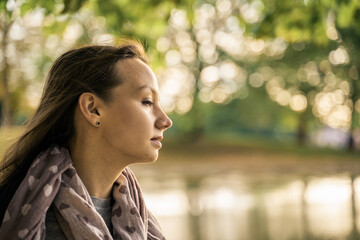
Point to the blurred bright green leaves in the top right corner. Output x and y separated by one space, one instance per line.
306 20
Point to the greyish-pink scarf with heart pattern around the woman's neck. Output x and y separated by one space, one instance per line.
52 180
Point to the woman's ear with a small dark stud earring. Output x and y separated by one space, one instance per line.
89 104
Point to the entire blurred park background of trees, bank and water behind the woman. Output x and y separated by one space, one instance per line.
264 96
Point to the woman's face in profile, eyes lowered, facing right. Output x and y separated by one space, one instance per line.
133 123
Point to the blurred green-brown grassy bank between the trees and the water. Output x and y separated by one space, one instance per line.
223 154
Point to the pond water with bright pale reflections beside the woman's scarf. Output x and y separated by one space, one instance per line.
235 206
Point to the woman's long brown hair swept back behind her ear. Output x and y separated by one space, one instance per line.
86 69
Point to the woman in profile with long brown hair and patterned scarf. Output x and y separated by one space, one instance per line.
67 176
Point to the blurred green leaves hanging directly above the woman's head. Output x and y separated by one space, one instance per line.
145 20
